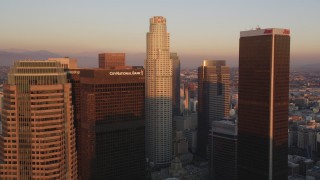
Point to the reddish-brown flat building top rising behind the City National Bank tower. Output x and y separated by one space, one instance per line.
107 60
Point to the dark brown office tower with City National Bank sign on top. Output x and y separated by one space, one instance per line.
112 132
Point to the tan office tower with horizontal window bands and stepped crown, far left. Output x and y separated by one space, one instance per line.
38 140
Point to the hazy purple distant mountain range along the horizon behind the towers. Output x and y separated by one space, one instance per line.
90 59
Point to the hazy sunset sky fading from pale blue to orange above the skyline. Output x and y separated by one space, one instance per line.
198 28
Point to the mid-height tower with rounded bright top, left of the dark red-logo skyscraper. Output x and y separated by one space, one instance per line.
213 98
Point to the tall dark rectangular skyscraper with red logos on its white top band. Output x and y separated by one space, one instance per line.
264 57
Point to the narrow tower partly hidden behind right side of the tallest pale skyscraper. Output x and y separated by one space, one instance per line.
175 83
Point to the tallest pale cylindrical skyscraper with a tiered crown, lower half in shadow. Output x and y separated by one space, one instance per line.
158 94
